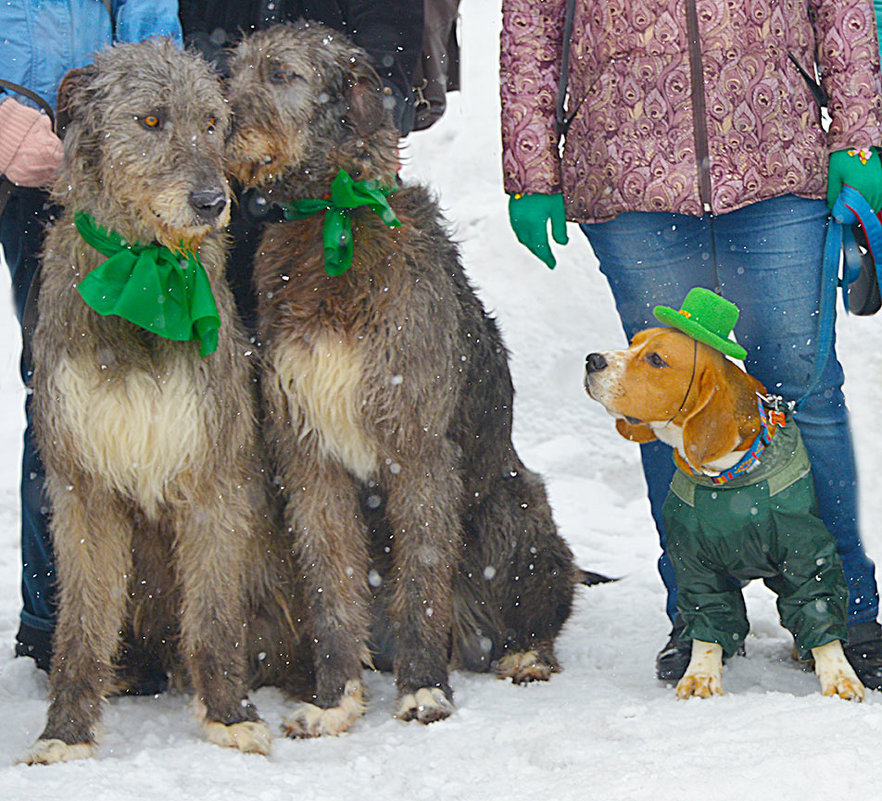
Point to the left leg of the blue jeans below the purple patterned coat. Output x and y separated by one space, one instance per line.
653 259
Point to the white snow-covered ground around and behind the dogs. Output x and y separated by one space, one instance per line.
603 728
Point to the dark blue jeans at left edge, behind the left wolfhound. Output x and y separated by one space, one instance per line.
21 235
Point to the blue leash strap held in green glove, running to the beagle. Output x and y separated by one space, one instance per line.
849 208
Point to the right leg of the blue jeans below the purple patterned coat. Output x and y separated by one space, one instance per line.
770 262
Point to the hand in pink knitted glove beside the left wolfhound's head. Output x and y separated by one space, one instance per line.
30 152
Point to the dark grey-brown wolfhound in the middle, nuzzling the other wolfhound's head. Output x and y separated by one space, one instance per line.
422 539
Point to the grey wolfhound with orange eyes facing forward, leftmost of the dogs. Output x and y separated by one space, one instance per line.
164 547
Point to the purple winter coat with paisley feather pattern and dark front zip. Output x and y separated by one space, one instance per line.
644 126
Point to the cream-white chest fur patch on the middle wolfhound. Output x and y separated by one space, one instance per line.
323 385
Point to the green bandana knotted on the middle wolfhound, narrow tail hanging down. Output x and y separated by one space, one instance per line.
346 195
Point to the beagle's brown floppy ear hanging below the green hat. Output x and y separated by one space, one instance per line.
710 430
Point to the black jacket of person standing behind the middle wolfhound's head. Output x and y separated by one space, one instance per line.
391 31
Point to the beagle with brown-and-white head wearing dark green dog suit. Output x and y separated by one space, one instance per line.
670 387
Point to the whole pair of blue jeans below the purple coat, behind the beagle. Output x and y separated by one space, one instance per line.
767 259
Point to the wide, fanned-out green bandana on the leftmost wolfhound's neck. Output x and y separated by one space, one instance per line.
166 293
